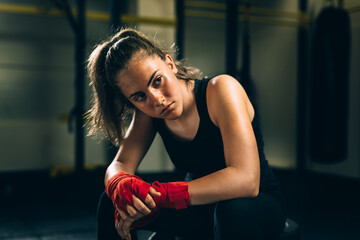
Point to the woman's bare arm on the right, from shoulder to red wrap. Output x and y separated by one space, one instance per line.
230 110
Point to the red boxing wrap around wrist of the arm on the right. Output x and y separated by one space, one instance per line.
173 195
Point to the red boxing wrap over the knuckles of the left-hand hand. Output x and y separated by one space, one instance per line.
122 186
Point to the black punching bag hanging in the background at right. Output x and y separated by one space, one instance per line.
329 86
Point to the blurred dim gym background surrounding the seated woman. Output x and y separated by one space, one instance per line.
298 60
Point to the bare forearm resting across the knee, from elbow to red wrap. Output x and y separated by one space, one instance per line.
225 184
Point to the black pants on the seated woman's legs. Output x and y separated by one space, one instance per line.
262 217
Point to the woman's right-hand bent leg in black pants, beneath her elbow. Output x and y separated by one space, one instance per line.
249 218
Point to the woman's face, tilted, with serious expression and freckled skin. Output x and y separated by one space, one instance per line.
151 85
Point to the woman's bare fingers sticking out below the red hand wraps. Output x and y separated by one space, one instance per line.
134 213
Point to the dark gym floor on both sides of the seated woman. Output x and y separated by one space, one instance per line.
35 206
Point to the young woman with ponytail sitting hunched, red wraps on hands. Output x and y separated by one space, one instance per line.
209 129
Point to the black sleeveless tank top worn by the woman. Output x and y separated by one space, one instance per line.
205 154
